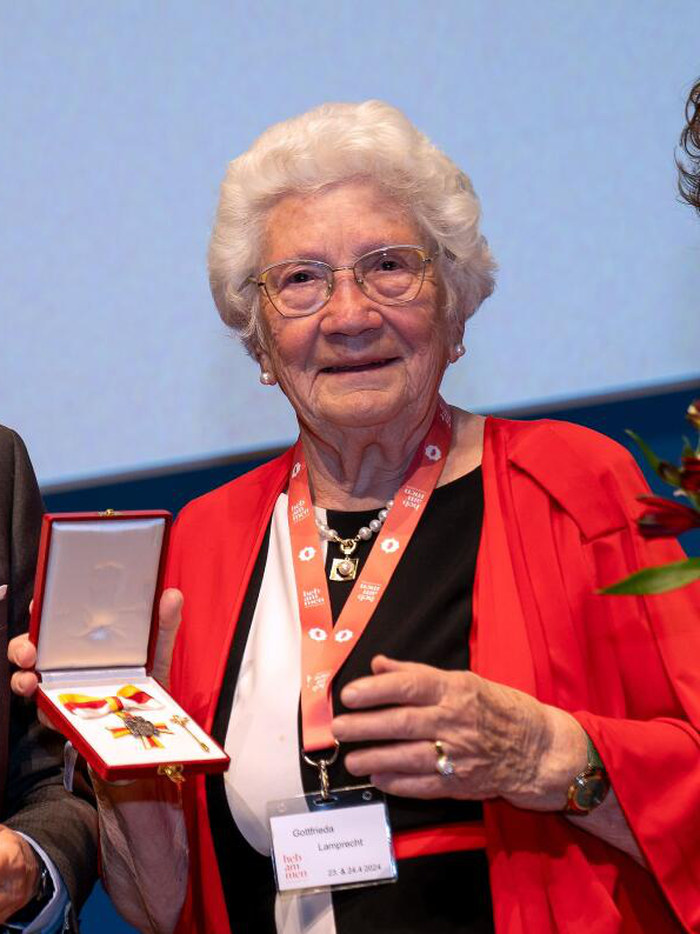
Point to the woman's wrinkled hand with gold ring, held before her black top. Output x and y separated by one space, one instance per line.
503 743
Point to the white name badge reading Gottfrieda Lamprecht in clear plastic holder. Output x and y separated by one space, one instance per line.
336 843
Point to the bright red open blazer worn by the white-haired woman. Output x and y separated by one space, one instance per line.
558 524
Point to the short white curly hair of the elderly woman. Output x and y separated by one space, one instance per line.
328 145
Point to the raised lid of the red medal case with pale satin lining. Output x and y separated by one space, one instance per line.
98 581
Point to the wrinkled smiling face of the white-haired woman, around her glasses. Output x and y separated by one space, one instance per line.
354 363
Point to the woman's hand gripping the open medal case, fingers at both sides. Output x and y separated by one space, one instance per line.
22 653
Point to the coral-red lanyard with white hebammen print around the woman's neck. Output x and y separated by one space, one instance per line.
325 647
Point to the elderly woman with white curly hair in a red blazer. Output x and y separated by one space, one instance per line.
425 580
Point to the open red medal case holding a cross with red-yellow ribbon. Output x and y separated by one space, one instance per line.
94 622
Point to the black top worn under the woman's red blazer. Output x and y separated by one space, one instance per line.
425 615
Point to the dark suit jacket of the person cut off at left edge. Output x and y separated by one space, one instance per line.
62 824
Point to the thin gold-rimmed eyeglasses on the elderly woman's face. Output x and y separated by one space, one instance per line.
392 275
